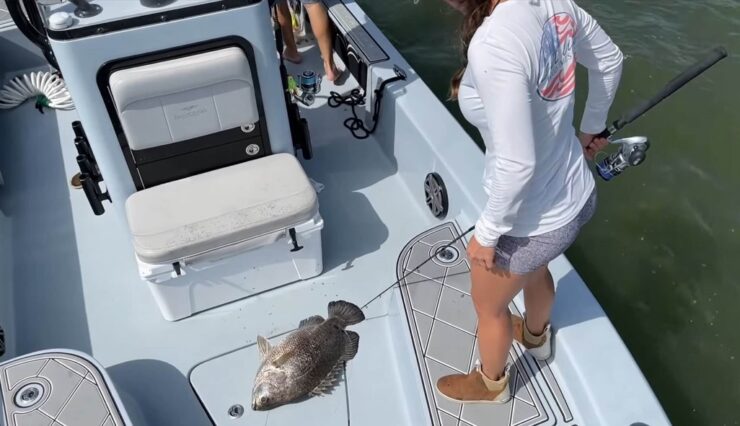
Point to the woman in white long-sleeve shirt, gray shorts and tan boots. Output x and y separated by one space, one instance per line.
518 88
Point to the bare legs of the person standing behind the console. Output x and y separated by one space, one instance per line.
321 28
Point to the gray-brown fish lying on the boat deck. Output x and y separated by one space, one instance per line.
309 361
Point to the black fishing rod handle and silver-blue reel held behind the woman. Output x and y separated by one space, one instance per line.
633 150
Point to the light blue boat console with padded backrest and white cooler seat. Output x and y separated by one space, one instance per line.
190 138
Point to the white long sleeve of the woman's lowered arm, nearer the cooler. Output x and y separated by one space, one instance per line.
504 87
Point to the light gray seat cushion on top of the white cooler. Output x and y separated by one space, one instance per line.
192 216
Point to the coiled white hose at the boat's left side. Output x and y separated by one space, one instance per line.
49 90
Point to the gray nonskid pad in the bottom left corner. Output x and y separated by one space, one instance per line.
56 389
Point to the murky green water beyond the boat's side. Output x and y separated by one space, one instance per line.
663 252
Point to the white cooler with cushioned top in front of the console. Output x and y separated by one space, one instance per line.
224 235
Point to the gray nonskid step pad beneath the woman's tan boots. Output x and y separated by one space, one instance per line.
443 323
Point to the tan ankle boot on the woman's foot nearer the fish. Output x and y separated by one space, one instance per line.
475 387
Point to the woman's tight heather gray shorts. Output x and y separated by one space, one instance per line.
522 255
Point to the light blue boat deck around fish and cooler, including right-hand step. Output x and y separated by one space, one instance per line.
76 285
